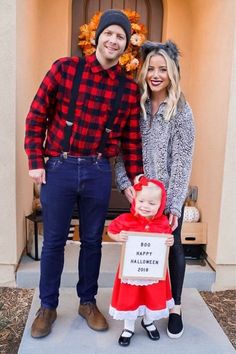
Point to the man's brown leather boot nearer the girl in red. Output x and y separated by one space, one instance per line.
93 316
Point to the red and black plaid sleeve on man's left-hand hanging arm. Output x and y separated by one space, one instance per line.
36 120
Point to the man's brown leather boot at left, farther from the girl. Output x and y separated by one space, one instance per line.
42 324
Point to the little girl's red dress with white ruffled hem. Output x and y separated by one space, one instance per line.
131 301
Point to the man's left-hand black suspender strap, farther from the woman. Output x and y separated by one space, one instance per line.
71 110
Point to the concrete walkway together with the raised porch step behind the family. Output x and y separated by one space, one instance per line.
71 335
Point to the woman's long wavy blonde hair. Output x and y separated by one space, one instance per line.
173 91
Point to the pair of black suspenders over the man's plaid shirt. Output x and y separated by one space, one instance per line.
71 111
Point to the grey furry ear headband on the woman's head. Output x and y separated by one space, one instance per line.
169 47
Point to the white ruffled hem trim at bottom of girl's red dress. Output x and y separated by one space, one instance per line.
141 311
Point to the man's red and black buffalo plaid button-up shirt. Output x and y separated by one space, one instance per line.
46 119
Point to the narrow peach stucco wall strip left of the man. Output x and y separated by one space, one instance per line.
27 68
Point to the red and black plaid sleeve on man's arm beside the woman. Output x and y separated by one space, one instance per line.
131 145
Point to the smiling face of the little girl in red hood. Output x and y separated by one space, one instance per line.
147 202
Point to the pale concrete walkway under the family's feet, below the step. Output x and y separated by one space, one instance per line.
70 334
